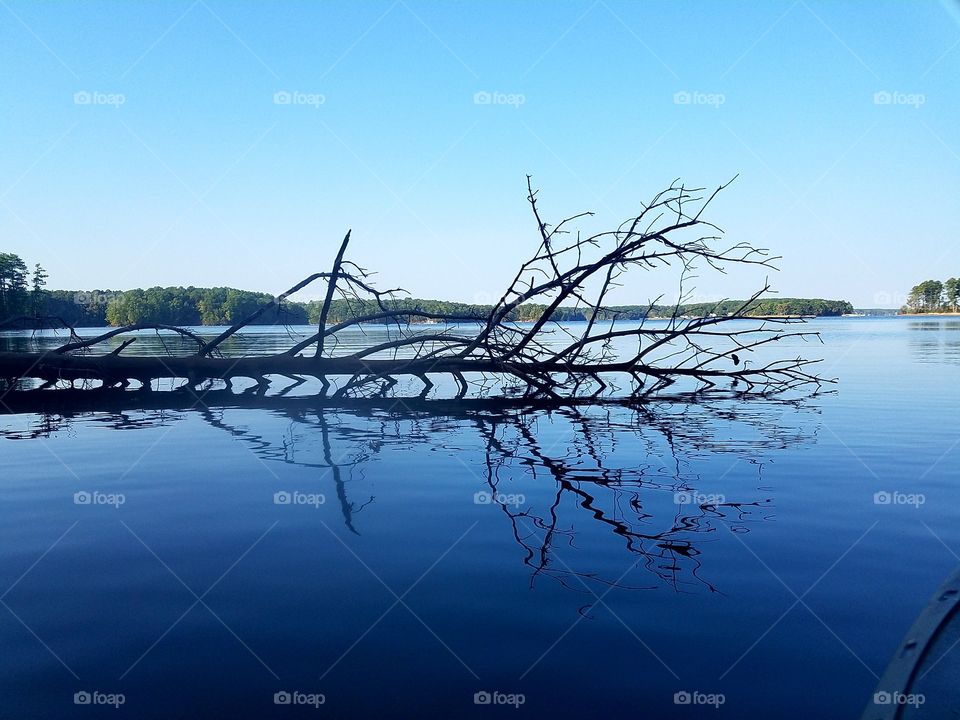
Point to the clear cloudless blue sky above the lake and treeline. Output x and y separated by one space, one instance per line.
200 177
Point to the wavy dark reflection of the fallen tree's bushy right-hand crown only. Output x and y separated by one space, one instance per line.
619 497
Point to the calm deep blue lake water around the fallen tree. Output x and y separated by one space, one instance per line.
767 555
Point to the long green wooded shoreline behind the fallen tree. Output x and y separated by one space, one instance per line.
23 296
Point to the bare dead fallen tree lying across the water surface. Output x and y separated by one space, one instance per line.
545 361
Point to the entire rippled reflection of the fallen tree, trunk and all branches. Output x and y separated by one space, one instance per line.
639 477
